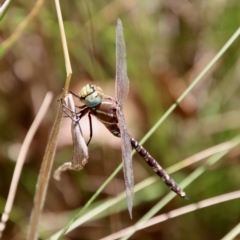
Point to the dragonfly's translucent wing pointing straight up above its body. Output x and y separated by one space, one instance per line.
122 82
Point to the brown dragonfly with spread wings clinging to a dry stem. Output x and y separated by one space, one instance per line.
109 111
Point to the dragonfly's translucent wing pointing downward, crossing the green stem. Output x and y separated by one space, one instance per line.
127 160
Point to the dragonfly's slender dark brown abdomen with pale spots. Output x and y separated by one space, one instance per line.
157 168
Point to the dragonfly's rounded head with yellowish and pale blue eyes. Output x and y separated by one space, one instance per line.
91 95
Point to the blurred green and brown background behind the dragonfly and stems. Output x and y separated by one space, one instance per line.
168 44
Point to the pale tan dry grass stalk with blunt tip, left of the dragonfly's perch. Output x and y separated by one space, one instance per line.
21 158
